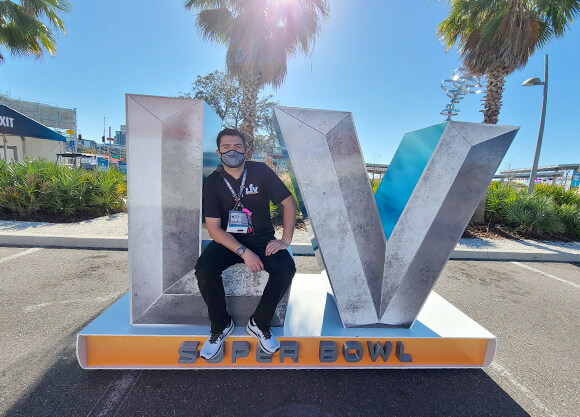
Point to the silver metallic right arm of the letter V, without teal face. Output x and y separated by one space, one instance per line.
443 201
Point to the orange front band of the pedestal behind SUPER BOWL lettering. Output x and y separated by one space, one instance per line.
164 352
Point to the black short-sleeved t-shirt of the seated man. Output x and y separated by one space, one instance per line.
262 186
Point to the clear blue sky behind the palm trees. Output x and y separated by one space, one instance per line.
379 59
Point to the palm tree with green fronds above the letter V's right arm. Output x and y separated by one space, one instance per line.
496 37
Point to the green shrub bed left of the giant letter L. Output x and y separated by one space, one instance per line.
39 189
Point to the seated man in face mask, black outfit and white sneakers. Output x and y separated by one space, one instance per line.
236 202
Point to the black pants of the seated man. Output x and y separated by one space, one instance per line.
217 258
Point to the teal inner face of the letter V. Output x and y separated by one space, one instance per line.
404 171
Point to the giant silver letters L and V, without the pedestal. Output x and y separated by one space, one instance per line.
382 253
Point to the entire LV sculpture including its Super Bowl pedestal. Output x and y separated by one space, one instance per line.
382 253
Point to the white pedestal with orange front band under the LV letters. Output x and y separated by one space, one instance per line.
312 337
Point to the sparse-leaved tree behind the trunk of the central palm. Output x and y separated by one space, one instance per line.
223 94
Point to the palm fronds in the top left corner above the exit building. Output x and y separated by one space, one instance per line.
22 31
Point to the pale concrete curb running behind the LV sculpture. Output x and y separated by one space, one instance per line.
298 249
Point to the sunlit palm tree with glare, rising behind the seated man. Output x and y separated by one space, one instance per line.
260 35
